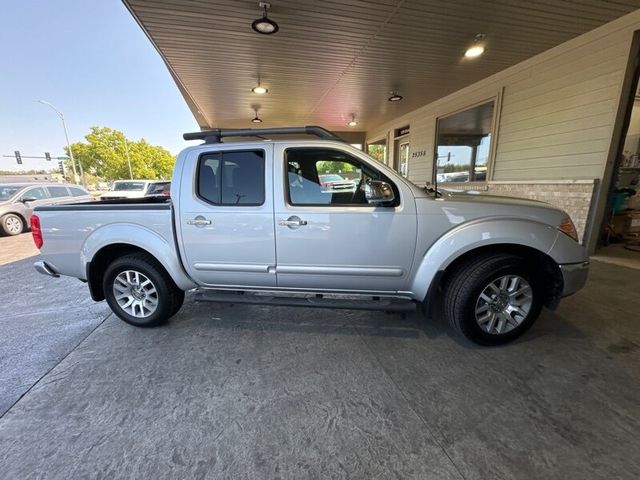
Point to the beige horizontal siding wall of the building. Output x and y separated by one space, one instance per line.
557 110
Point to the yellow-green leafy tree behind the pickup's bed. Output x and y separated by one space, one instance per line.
104 154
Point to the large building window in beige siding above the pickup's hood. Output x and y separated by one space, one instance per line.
464 144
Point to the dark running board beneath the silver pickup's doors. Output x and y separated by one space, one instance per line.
317 301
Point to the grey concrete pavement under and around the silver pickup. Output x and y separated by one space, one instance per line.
259 392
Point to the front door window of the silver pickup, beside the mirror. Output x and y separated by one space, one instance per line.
320 176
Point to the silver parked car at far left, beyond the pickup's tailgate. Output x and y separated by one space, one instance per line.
17 201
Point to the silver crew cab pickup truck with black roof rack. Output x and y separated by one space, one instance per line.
252 222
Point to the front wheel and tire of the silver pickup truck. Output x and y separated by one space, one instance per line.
487 309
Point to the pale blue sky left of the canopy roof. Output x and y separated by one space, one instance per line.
91 60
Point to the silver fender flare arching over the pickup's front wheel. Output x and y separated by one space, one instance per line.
475 234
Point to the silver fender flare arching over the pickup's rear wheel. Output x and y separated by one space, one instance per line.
140 237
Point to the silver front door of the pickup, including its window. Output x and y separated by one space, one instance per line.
327 235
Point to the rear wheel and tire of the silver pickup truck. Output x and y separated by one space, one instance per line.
140 291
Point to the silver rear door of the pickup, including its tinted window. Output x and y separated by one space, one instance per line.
224 211
